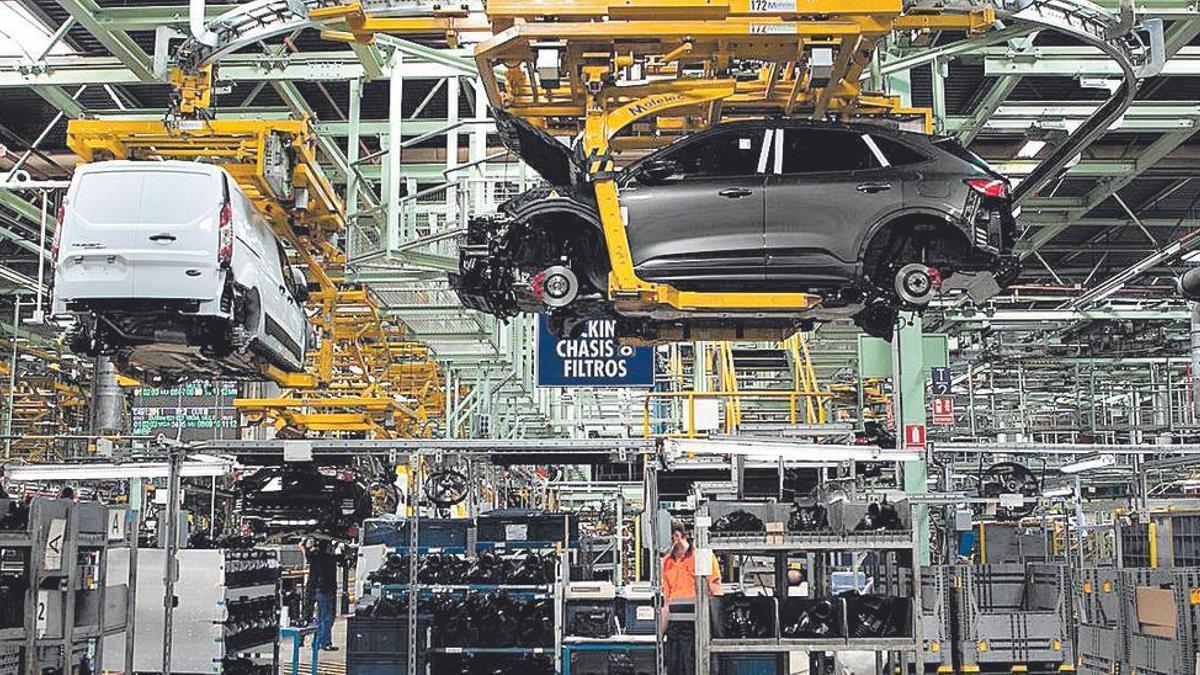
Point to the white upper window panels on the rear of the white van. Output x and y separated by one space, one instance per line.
152 198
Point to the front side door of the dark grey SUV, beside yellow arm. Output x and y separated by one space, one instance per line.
704 223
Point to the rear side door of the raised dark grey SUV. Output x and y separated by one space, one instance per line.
830 188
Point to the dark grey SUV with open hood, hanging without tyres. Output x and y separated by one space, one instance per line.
872 219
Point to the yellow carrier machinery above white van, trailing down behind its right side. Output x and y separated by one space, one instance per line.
365 377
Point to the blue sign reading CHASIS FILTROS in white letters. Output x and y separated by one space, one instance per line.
593 360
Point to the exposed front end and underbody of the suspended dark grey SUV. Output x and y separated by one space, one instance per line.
508 267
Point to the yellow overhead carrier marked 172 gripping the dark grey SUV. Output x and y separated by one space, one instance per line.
634 74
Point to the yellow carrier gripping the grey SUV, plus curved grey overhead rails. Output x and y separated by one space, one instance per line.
639 74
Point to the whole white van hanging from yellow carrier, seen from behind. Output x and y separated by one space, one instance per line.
141 266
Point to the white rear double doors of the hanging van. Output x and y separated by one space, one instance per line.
142 231
